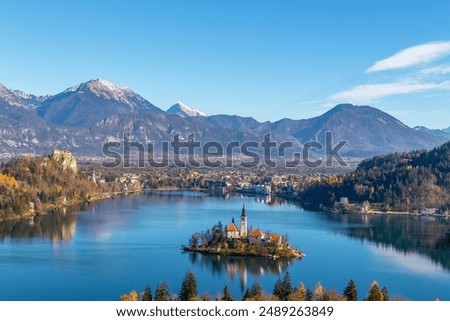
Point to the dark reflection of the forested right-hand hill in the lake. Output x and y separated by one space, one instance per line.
417 234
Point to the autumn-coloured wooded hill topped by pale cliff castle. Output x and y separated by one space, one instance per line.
34 185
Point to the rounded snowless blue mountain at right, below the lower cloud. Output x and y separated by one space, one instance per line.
367 130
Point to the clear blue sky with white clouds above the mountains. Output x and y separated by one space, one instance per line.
266 59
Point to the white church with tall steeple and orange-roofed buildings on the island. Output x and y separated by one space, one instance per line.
254 237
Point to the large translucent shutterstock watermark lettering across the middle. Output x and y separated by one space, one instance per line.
190 152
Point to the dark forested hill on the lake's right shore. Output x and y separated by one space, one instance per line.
408 181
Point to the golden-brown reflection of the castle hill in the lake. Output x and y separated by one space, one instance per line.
56 226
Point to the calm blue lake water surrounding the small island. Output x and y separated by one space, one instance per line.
126 243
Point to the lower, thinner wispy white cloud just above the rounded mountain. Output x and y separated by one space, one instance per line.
371 92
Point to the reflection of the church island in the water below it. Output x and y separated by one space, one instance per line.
237 266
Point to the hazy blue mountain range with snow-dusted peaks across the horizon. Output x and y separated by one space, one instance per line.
84 117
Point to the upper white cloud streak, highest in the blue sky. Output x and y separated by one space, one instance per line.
412 56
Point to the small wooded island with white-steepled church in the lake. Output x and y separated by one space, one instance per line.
242 241
